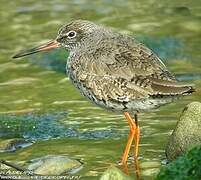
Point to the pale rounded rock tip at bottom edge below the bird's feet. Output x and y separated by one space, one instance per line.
114 173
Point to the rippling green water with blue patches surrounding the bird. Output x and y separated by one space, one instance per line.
38 103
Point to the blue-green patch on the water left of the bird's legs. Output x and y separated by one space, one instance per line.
45 126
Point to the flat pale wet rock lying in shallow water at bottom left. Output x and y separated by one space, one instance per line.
54 165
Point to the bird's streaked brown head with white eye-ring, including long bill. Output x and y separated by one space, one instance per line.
70 36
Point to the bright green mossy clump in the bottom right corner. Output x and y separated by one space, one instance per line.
186 167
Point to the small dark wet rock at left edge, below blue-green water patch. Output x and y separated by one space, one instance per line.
10 145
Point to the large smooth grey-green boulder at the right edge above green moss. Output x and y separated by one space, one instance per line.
187 132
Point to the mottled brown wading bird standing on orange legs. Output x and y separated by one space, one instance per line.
116 72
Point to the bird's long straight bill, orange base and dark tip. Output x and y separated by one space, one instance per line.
44 47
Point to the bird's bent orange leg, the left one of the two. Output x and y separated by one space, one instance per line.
133 127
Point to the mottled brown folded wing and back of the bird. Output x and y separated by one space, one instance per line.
128 71
